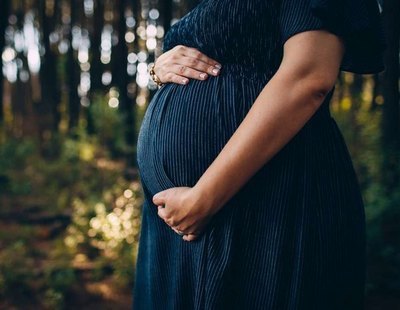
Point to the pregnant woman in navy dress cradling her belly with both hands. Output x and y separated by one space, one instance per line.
251 198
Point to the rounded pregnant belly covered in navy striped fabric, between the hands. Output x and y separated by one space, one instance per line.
186 126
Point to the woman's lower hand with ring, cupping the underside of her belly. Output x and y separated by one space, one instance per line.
183 210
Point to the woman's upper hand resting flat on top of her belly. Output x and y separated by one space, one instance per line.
182 62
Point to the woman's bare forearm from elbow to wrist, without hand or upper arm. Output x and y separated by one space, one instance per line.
279 112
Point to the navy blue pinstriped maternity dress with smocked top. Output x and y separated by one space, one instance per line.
293 237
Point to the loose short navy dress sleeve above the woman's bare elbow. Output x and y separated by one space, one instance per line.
357 22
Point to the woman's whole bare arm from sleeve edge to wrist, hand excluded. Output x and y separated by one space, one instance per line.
307 73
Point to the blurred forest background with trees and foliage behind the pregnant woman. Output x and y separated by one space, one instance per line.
74 88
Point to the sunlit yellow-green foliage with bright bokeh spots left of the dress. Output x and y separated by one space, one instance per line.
108 230
